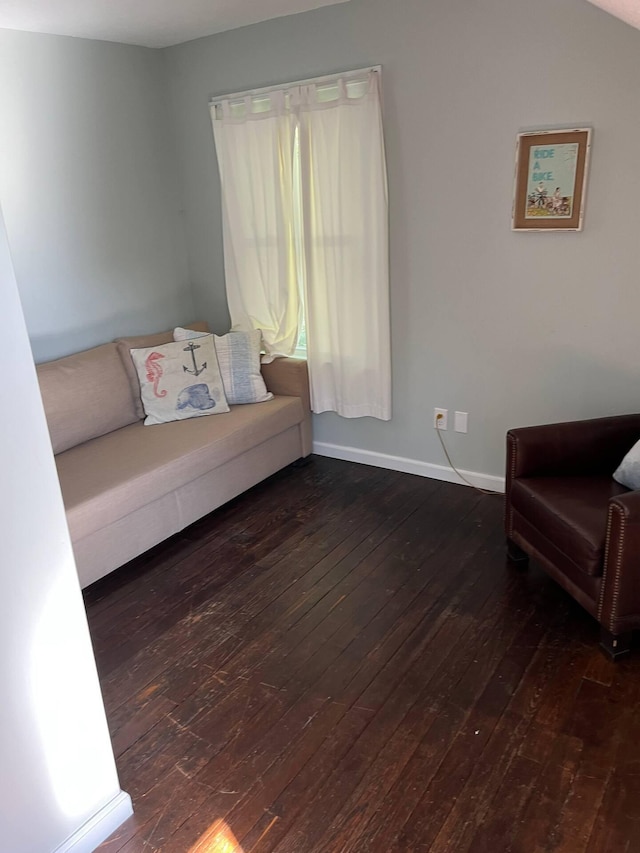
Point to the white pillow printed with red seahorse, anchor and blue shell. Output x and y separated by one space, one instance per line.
178 382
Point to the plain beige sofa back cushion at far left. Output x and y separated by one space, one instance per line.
85 396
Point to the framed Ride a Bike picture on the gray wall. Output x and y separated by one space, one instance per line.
550 180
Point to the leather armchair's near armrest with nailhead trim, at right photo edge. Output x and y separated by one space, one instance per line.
619 605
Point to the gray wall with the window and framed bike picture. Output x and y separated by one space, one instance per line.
514 328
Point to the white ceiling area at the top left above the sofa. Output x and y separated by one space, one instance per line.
151 23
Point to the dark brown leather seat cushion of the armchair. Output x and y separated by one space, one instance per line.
571 512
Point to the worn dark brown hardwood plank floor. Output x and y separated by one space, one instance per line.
343 660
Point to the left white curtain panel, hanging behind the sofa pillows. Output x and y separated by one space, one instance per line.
254 144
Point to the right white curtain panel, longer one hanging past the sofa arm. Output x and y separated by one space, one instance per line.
344 186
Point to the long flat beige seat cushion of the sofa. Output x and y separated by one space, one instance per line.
111 476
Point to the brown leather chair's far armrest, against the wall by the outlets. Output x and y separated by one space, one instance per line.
577 447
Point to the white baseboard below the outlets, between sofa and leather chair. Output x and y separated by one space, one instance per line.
408 466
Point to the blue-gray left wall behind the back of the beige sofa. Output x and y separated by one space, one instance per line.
89 188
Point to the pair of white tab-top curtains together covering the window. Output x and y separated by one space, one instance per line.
304 196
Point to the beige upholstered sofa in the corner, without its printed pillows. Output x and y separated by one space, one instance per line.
127 486
